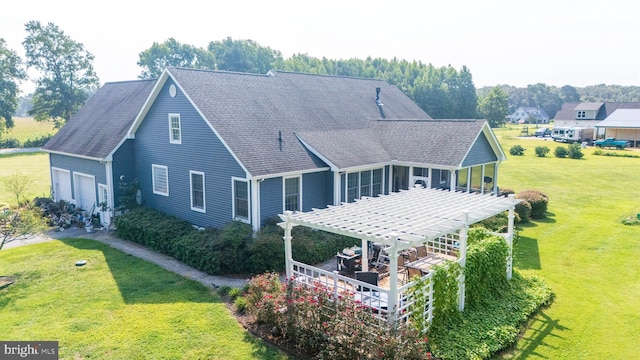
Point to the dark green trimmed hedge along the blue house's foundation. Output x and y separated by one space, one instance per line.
231 250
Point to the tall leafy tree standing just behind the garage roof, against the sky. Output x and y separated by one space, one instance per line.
66 72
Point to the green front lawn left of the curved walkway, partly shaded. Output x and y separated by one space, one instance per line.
116 307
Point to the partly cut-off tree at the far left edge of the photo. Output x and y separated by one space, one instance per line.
11 73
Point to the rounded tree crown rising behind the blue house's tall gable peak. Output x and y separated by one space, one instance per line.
172 53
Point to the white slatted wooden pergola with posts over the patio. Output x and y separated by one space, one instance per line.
404 220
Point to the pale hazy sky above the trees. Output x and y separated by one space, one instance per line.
518 43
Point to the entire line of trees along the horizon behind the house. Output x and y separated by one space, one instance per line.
67 78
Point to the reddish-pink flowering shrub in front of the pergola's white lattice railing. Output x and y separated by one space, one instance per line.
320 325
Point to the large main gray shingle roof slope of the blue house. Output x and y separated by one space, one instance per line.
250 111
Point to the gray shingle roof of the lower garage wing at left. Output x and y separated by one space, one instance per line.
102 123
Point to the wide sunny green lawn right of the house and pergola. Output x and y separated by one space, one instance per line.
589 259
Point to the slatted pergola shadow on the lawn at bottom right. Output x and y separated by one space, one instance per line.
540 328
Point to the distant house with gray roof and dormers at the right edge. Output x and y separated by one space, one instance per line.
589 115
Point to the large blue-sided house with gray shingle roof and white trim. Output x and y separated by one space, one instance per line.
211 147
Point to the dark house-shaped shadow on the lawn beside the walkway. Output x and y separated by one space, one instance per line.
141 282
